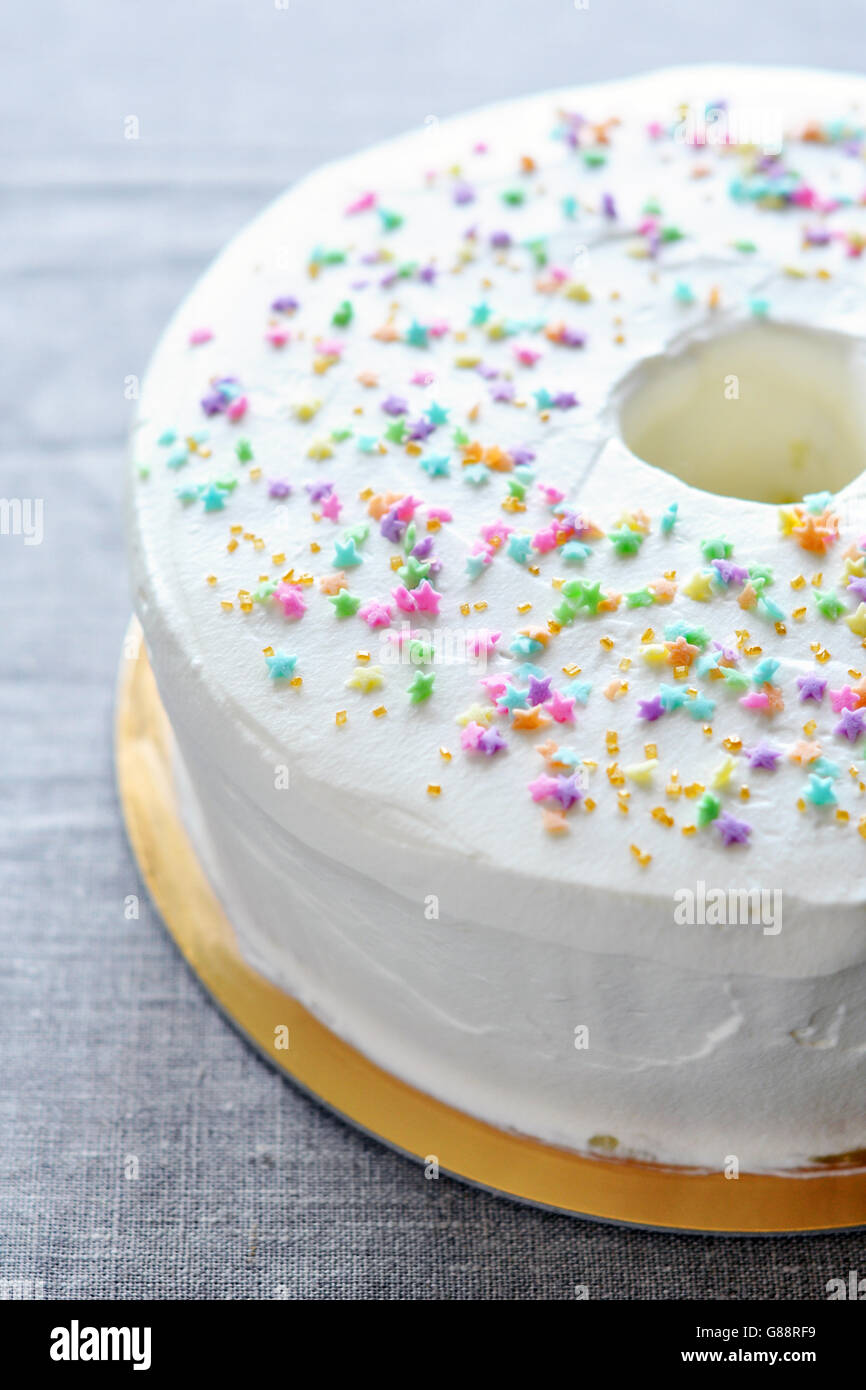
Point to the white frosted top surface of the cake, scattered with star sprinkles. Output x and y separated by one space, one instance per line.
387 526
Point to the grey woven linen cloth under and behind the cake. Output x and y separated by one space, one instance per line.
109 1050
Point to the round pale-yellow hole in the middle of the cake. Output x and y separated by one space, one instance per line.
764 412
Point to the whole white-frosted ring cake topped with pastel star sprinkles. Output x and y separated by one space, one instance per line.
498 532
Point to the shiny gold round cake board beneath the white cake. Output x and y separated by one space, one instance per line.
608 1189
